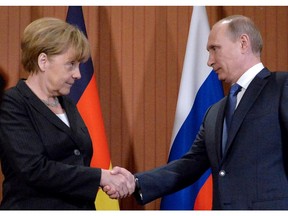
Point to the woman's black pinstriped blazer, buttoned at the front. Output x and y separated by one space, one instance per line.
45 163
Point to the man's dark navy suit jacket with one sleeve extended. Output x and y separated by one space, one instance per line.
253 172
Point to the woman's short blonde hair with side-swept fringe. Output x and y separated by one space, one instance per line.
51 36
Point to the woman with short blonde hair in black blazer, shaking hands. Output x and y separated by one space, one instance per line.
45 146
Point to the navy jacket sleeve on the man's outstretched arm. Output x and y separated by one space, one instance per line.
175 175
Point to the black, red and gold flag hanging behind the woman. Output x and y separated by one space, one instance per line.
85 94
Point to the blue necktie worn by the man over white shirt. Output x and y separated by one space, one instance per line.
231 104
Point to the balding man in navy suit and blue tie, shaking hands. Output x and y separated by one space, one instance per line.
247 155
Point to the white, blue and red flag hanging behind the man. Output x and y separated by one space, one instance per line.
199 89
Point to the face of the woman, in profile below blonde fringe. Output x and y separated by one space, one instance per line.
60 73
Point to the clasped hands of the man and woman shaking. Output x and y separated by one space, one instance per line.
117 183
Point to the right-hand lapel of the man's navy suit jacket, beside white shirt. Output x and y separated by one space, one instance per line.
251 94
